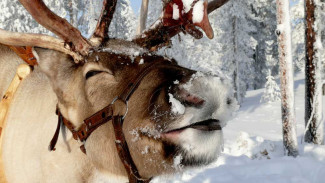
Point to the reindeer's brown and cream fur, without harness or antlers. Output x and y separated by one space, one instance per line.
58 80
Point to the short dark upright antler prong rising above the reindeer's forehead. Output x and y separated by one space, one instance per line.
100 35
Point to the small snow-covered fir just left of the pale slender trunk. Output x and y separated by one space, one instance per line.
272 91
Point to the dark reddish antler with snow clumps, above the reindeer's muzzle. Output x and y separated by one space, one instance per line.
169 25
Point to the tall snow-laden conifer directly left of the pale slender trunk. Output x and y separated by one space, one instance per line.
266 52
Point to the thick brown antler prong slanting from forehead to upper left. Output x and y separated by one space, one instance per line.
59 26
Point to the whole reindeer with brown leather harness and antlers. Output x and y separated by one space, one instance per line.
123 113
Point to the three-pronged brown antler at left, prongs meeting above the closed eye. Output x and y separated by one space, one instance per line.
72 43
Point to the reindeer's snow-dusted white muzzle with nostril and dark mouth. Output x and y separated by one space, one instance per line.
201 108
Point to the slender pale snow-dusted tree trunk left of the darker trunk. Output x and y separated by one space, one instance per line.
286 77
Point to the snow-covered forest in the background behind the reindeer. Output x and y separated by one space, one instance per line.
244 50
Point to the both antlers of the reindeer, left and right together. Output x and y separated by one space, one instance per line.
175 19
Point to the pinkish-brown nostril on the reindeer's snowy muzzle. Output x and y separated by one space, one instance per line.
186 98
